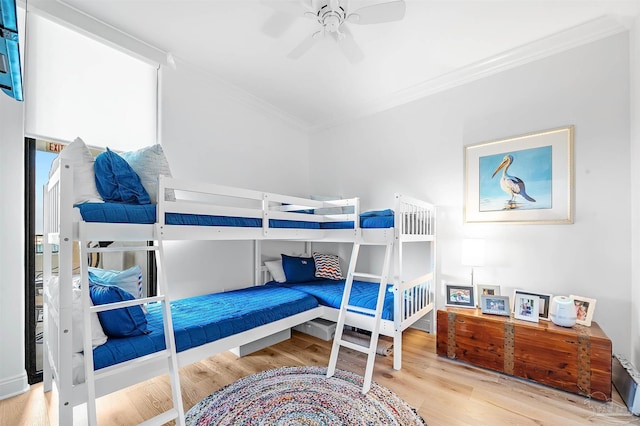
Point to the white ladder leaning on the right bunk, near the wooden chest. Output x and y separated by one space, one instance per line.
362 317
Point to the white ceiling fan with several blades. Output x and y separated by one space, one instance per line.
332 17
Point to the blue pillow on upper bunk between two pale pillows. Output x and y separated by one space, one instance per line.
117 181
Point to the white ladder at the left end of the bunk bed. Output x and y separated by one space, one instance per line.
175 413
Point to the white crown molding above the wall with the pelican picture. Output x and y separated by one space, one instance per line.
579 35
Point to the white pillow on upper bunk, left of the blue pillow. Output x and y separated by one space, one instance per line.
84 180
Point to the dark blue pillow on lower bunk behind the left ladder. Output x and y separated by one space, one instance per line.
122 322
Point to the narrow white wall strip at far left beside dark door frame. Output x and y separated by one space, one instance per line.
13 377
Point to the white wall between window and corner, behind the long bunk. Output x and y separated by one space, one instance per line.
215 133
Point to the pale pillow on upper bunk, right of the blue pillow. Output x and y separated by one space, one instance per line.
149 163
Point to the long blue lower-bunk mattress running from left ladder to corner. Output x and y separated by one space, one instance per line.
203 319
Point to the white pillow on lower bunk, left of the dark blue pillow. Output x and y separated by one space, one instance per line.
77 324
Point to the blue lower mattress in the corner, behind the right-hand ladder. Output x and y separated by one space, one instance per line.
329 293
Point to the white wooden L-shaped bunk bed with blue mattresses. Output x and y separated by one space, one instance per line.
188 330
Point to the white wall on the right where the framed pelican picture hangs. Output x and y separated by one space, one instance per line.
418 149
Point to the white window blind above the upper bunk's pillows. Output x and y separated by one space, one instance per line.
76 86
